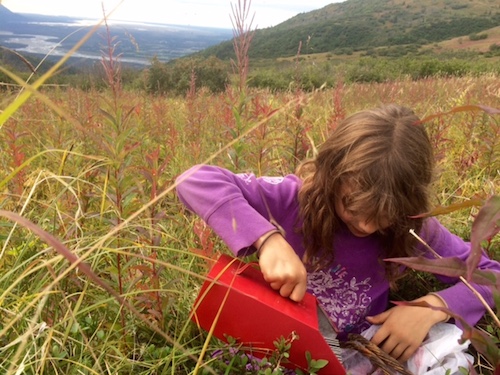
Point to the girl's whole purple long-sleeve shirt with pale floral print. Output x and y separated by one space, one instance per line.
239 207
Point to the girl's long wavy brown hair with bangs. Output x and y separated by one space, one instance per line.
385 157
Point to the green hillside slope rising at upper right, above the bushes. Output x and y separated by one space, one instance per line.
357 25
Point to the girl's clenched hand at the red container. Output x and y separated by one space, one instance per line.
282 267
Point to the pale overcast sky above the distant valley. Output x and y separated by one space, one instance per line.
212 13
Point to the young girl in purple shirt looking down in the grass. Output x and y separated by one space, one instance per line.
328 228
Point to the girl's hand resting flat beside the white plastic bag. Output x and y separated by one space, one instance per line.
404 328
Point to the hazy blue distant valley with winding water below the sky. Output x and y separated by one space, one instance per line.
135 43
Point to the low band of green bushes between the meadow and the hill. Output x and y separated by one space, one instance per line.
308 72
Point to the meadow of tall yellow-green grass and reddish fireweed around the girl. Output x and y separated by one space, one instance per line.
100 264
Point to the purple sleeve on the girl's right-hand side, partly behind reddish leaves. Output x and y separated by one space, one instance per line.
458 297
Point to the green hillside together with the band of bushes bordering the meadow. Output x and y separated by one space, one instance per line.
354 41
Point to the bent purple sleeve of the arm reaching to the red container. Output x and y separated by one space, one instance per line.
238 207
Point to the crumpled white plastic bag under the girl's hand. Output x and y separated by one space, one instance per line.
439 353
